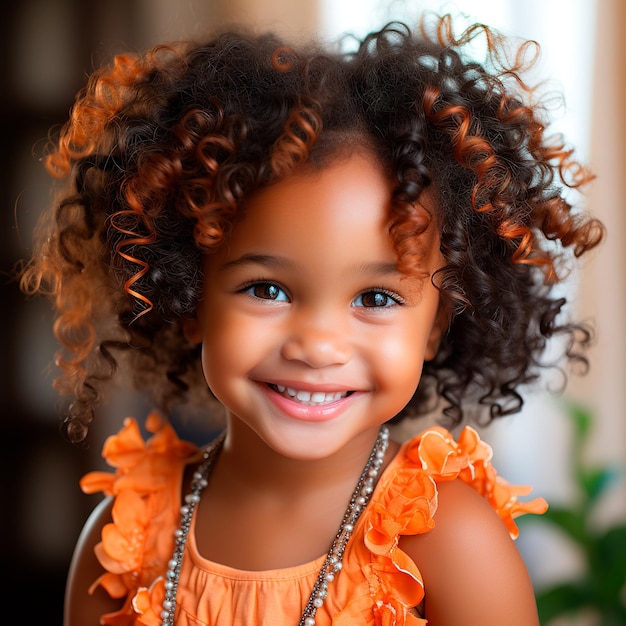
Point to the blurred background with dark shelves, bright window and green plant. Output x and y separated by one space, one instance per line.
47 49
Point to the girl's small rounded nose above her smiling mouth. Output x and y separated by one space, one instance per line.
317 340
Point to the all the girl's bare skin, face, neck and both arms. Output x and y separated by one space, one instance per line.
306 295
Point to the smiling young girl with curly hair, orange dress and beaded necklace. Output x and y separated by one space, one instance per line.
330 241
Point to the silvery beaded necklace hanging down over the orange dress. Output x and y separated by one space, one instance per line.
333 562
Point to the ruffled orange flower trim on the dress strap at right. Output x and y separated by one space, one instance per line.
406 507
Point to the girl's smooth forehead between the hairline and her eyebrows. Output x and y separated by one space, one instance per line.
333 219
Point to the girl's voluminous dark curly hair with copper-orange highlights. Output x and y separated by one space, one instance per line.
162 149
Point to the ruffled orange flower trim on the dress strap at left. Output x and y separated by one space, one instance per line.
136 546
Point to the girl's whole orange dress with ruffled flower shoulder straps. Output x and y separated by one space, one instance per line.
378 584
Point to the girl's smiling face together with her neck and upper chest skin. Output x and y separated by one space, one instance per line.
284 306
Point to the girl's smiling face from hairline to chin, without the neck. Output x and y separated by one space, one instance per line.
311 337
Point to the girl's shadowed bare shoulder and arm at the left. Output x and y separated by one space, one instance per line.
81 608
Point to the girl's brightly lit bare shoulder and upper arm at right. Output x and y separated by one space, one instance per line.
472 570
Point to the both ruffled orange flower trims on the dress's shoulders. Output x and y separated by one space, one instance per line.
136 546
